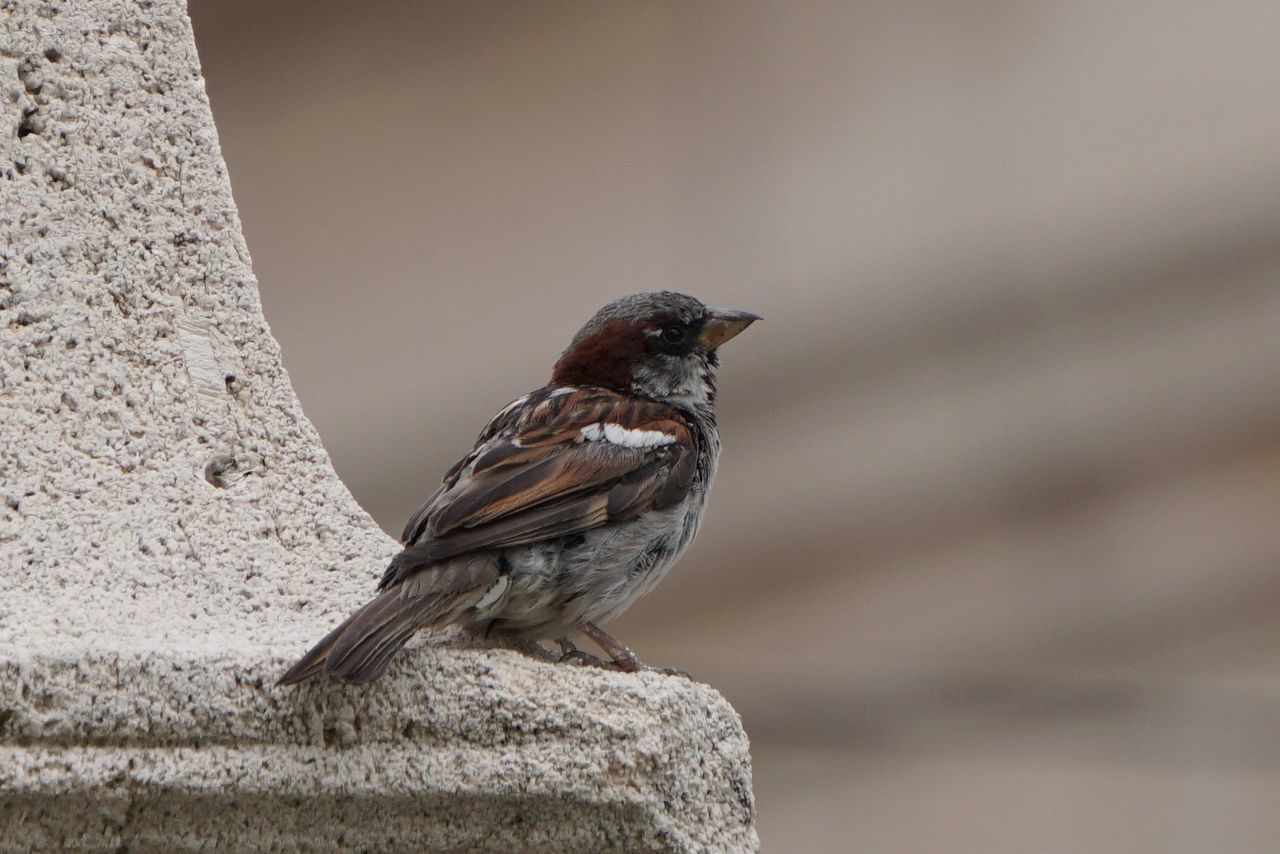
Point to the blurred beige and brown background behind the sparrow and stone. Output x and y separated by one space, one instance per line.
994 560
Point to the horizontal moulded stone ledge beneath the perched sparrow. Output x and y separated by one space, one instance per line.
460 748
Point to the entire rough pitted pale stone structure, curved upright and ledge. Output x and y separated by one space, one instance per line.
172 535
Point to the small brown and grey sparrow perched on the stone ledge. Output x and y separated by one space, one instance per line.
575 501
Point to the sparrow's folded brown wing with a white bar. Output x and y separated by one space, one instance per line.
566 462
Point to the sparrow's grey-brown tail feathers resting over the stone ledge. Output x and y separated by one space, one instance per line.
362 649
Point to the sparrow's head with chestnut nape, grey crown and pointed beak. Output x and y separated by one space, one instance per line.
661 346
